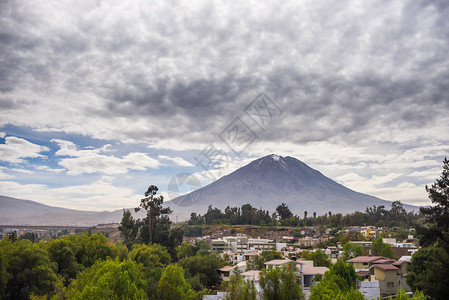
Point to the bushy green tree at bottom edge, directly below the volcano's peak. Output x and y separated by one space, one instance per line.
280 283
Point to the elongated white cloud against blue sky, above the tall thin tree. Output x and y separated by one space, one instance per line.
92 161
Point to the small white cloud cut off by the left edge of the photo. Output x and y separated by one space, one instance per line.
16 150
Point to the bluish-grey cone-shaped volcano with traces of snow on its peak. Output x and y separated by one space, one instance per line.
273 179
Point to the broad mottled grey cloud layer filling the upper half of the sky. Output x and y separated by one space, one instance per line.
338 70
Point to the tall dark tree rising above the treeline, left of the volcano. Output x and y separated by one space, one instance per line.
153 206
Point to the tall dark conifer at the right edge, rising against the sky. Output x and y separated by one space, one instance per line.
437 216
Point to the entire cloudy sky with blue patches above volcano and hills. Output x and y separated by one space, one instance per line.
100 99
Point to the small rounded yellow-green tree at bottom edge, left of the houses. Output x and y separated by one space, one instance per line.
172 285
